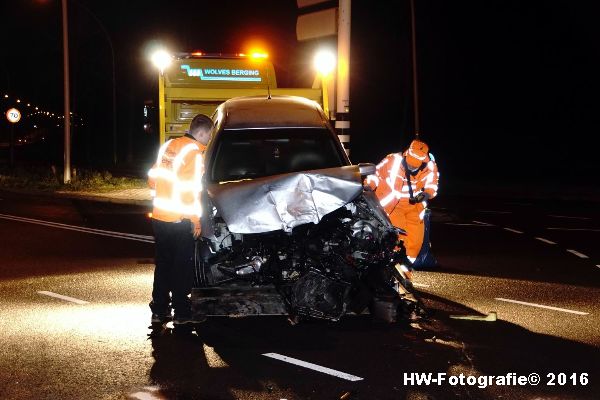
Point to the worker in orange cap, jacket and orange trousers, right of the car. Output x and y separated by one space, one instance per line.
403 183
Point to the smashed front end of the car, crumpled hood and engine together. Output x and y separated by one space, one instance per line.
307 244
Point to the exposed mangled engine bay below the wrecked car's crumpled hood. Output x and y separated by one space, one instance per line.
346 262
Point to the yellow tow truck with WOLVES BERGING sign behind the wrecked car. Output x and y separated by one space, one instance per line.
196 83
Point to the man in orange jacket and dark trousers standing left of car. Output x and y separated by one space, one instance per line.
176 183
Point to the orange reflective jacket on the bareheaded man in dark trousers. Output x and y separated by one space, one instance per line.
176 180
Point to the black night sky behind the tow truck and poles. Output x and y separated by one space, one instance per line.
508 89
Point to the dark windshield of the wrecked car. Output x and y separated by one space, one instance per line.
255 153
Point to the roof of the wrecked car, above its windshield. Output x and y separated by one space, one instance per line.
272 112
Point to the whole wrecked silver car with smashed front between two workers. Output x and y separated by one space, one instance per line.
288 227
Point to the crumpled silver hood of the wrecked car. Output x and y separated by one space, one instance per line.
282 202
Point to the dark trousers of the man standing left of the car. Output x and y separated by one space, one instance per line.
174 271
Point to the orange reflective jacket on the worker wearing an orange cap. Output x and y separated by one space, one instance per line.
391 186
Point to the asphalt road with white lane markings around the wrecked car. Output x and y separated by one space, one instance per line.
75 279
